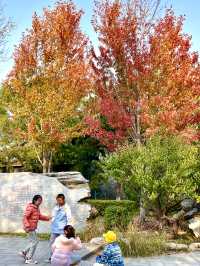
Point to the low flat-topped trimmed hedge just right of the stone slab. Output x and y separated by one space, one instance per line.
102 205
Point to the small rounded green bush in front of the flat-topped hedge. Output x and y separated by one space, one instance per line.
117 217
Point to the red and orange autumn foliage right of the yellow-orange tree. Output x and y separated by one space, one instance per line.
147 78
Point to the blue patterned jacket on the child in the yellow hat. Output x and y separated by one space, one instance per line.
111 256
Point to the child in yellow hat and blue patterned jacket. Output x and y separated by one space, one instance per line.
112 255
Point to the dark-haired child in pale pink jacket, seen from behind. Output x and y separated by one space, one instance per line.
63 247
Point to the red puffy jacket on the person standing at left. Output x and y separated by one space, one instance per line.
31 217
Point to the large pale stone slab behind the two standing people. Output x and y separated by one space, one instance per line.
17 189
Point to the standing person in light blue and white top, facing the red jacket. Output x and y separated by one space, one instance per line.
61 216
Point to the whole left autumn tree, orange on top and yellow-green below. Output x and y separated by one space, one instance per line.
49 80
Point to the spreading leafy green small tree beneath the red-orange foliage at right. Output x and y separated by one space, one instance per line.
164 169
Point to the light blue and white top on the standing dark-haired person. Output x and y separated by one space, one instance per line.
60 218
